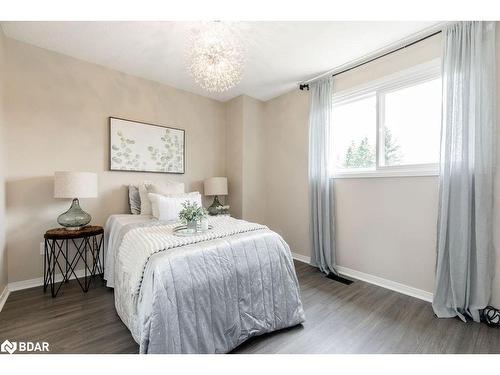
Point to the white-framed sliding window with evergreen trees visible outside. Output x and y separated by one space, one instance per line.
390 127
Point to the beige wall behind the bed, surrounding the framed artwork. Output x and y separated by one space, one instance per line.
57 110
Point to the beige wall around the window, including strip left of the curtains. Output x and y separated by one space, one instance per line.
385 226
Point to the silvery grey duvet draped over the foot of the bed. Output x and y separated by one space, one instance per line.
211 298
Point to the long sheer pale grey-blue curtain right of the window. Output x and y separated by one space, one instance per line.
465 244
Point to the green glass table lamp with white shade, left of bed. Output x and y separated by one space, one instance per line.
75 185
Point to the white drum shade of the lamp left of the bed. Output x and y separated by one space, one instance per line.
75 185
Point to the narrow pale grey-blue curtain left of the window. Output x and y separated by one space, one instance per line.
321 191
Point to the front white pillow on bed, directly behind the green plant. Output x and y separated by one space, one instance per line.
167 208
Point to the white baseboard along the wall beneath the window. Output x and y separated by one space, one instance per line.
375 280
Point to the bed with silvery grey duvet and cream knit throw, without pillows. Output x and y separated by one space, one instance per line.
202 294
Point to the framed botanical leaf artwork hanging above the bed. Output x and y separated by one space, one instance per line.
141 147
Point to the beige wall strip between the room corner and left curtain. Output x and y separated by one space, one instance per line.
286 124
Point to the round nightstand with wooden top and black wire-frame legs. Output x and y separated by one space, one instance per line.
64 249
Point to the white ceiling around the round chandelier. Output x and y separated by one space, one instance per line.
279 54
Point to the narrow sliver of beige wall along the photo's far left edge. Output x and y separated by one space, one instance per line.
3 251
